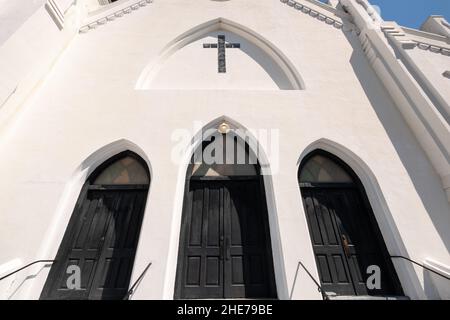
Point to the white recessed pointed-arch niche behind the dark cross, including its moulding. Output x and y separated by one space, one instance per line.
186 64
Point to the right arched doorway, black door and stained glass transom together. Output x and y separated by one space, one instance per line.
347 243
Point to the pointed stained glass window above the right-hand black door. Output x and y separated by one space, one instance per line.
322 169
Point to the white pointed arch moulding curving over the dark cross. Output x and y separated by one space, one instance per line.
279 59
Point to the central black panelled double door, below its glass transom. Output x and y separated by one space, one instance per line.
225 249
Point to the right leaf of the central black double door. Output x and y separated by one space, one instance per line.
247 272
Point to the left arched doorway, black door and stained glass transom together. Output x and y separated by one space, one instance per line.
100 242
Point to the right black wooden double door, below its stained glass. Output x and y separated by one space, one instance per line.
346 240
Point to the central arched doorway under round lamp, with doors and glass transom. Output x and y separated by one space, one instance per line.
225 246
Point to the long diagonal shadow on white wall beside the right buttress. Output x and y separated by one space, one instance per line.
411 155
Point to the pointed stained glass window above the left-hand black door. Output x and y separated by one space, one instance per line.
124 171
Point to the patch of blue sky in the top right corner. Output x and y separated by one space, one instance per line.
412 13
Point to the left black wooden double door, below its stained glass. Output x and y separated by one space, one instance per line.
101 240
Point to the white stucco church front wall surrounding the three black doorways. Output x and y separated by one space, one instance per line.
89 101
